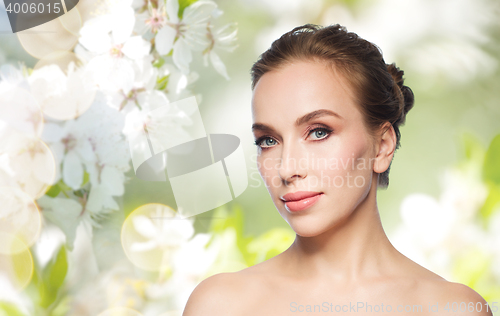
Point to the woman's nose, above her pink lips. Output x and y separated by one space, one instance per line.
293 164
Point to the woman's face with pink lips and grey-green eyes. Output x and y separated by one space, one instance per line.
311 137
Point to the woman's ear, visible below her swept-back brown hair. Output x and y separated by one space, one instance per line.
385 146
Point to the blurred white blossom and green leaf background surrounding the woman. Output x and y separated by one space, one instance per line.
77 226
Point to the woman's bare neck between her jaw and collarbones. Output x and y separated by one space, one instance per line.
356 249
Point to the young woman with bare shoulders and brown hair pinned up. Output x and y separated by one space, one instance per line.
327 111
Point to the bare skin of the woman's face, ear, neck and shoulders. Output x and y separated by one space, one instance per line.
341 260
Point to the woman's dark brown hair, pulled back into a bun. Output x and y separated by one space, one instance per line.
378 87
